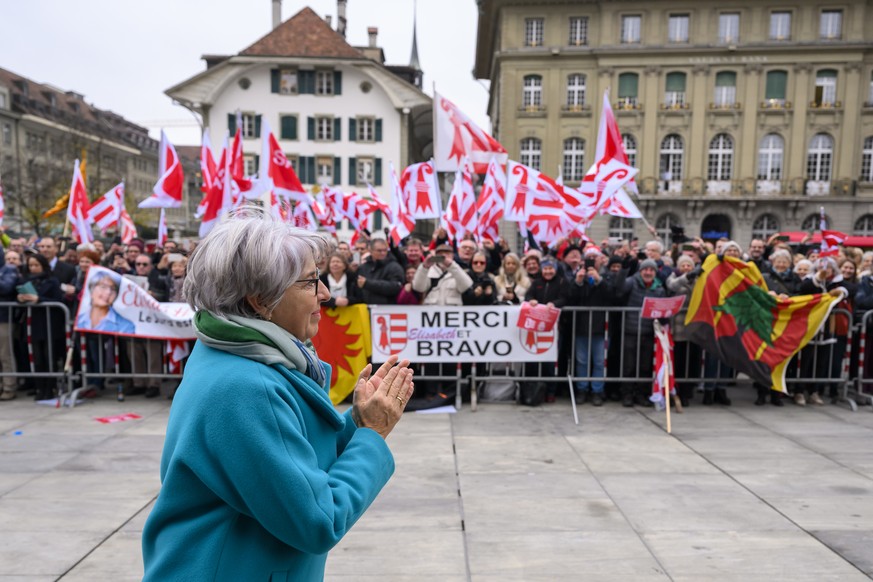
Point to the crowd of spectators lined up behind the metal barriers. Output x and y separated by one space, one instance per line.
605 347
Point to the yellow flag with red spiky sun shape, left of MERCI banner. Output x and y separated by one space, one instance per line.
343 341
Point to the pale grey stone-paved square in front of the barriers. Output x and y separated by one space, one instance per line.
505 493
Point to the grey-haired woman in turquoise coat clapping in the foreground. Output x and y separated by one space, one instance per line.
261 475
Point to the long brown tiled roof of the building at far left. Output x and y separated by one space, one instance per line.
70 109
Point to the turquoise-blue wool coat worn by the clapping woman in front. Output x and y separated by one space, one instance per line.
261 475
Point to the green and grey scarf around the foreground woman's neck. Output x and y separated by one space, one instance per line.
259 340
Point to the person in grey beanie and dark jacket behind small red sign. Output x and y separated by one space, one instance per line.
638 334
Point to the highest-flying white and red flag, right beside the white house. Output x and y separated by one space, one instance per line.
456 136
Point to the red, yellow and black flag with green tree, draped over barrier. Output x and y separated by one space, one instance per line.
733 316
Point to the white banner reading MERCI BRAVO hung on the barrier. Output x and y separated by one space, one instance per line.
424 334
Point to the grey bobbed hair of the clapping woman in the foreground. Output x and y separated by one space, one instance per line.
249 254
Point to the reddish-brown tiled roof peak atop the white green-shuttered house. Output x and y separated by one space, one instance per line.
303 35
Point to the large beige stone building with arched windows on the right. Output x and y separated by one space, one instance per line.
743 117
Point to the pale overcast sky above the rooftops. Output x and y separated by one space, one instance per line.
122 55
